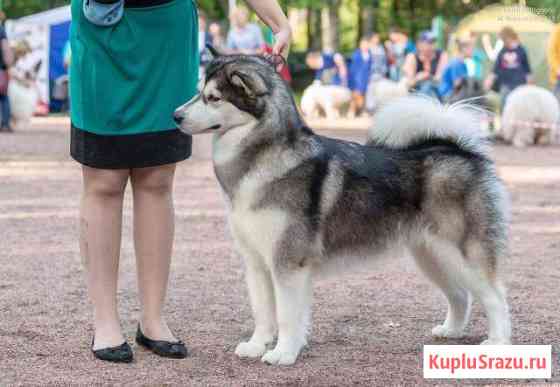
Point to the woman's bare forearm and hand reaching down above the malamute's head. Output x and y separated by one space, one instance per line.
272 15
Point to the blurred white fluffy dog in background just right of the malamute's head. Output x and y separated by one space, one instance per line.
330 100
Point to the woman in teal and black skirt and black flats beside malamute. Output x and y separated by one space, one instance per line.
126 80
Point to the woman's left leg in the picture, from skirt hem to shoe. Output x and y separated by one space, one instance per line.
100 240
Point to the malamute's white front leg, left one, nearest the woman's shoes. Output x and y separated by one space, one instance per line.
261 294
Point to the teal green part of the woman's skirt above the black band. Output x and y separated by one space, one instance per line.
129 78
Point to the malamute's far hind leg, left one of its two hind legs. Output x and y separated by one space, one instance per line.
430 261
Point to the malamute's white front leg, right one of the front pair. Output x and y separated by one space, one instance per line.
293 309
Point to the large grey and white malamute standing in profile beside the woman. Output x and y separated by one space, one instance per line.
300 202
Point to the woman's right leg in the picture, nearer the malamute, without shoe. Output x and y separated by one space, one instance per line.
153 242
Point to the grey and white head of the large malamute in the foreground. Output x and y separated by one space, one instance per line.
237 91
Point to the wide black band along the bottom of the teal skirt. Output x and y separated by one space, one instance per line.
129 151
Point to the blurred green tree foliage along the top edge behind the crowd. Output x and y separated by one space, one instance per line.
411 15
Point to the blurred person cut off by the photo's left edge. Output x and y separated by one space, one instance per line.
6 60
